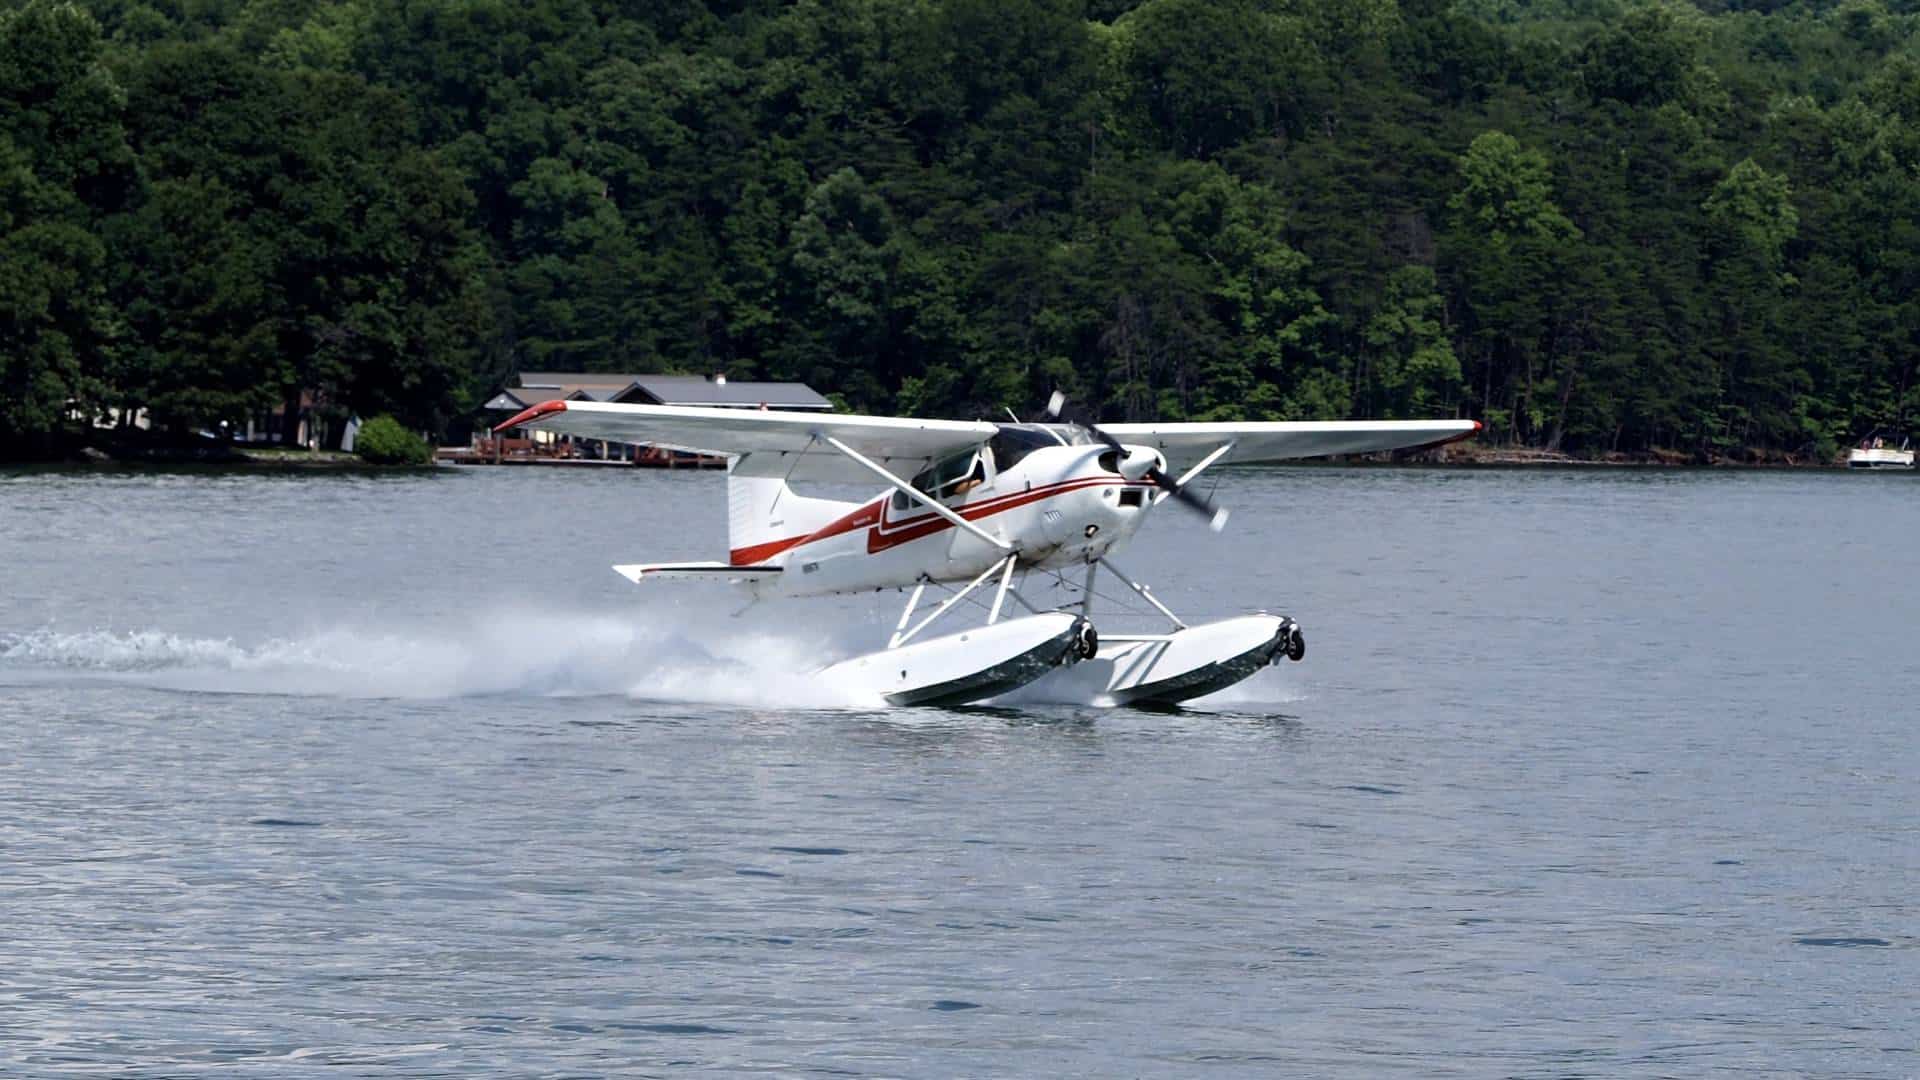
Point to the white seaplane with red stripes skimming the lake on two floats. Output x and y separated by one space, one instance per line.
972 508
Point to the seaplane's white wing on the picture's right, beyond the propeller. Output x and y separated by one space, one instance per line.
1280 441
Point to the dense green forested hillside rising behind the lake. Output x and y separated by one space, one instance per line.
1595 226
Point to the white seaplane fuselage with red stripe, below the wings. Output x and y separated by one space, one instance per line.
1057 508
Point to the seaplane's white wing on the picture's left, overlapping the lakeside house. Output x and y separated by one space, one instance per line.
769 443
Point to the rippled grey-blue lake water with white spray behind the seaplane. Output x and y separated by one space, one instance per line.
1585 773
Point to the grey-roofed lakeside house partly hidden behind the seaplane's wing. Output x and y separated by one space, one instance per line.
706 391
